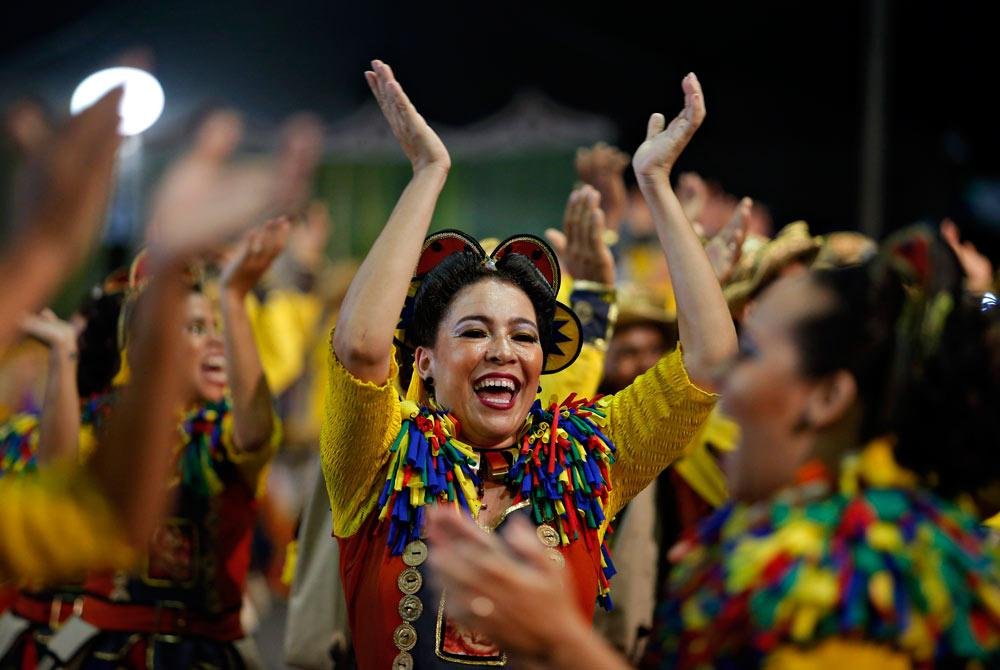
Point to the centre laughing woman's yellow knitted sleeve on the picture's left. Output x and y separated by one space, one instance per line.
362 420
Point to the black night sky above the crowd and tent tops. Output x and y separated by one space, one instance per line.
784 81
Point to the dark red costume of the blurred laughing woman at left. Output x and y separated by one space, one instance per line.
181 606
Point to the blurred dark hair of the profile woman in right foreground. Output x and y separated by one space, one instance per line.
939 399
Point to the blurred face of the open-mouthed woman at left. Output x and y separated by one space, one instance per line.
203 354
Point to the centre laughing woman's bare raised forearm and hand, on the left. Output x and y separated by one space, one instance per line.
368 317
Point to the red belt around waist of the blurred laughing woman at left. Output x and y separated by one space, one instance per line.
165 619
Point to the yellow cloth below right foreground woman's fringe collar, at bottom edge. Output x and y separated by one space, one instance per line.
837 653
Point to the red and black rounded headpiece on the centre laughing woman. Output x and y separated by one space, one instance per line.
565 340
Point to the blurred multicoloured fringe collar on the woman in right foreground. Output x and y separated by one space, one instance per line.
889 565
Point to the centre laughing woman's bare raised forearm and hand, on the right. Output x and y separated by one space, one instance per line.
703 320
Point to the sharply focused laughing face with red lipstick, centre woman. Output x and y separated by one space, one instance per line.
486 361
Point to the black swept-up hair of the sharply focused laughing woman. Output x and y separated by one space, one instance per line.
440 286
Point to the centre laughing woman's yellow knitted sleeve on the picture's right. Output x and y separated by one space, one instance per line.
651 422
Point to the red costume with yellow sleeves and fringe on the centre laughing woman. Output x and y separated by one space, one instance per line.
573 468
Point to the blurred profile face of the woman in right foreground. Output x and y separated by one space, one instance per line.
767 395
